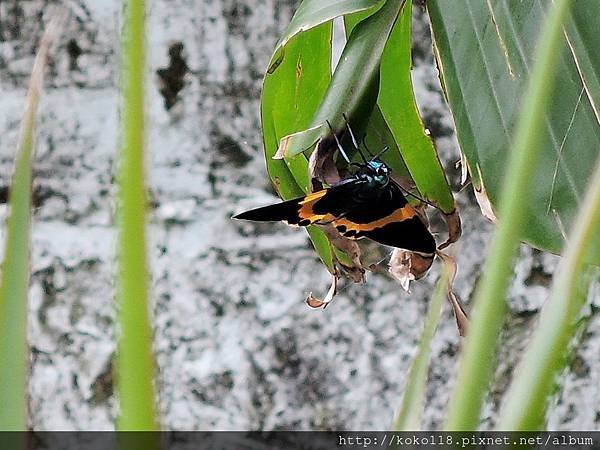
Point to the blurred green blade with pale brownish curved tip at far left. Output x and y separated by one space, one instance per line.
14 281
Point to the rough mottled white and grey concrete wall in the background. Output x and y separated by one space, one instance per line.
236 346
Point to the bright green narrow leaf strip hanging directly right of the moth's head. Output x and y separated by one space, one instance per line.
399 108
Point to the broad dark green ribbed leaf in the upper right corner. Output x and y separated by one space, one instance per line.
485 53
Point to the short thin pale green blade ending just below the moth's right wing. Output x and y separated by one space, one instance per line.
409 416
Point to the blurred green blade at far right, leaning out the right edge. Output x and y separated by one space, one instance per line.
527 397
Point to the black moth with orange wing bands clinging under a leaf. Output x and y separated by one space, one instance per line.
367 204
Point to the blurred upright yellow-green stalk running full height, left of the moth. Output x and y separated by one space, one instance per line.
135 366
